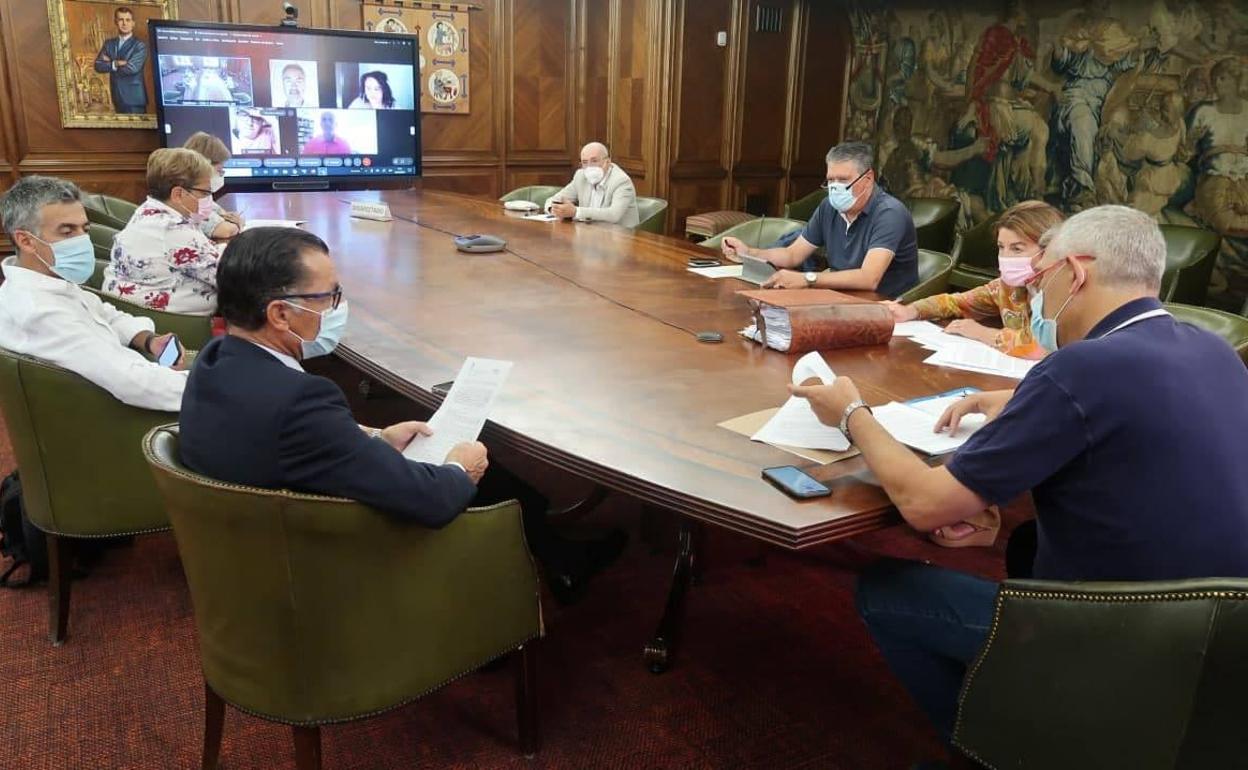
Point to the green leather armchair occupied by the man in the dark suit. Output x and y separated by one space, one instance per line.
314 610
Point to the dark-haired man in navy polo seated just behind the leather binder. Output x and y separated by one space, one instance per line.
868 234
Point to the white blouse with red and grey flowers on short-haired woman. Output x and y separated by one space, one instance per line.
164 261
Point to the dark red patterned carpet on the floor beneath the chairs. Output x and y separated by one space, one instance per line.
776 671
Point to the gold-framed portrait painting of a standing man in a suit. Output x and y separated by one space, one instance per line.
100 53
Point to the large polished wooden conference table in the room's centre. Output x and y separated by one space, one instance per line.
610 383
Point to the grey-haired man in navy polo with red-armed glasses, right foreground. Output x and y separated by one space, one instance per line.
1131 439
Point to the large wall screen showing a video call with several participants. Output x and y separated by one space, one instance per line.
293 104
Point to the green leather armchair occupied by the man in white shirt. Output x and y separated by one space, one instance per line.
83 475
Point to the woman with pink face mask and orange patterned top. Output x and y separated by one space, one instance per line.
1019 233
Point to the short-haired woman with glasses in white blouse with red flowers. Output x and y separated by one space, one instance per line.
162 259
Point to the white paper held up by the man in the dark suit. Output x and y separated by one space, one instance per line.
464 412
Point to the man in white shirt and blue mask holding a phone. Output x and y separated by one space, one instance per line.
47 315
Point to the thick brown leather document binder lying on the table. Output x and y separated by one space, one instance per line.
803 320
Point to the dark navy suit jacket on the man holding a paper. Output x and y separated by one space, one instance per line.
248 419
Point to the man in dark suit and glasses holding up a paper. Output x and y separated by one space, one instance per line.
253 416
